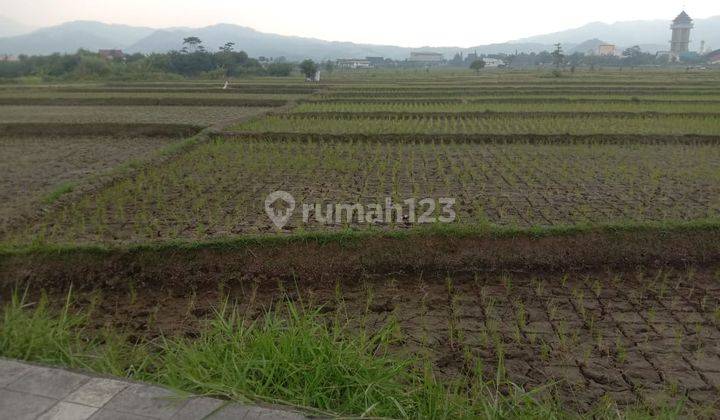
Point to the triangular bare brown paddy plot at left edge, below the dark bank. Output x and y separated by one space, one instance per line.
35 171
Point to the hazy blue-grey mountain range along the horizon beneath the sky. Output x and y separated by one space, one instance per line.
15 38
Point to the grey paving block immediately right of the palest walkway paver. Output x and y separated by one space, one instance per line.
146 400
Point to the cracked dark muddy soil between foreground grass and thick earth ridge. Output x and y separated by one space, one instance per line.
641 337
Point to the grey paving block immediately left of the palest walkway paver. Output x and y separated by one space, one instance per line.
48 382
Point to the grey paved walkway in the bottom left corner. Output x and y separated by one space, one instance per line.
36 392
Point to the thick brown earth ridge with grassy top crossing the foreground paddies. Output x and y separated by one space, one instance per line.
332 256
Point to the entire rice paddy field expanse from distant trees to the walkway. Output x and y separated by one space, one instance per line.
579 276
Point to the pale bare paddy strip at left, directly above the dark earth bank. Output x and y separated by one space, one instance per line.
198 115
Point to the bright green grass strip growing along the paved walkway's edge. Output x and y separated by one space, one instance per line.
288 356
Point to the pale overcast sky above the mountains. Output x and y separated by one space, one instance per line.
411 23
